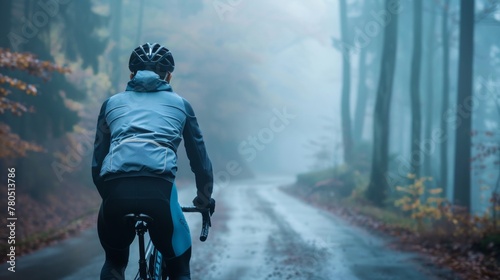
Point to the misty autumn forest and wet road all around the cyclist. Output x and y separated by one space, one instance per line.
350 139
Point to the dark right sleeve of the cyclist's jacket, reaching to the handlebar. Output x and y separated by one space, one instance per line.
197 154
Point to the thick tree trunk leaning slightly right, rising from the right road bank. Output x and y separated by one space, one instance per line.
377 188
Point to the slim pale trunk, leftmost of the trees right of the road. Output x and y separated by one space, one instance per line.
346 86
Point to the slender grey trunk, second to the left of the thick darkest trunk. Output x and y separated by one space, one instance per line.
430 92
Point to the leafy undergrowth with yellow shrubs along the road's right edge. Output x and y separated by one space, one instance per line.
416 213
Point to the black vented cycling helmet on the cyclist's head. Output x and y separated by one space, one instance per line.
154 57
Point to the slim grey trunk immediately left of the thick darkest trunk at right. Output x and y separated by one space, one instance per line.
446 100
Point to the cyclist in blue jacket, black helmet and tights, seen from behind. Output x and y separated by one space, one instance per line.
134 163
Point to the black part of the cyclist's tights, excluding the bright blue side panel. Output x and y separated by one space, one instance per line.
147 195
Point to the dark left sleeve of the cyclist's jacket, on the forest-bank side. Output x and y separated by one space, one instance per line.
101 146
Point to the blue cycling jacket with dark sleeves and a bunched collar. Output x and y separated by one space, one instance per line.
139 131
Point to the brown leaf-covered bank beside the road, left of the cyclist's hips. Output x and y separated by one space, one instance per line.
48 220
